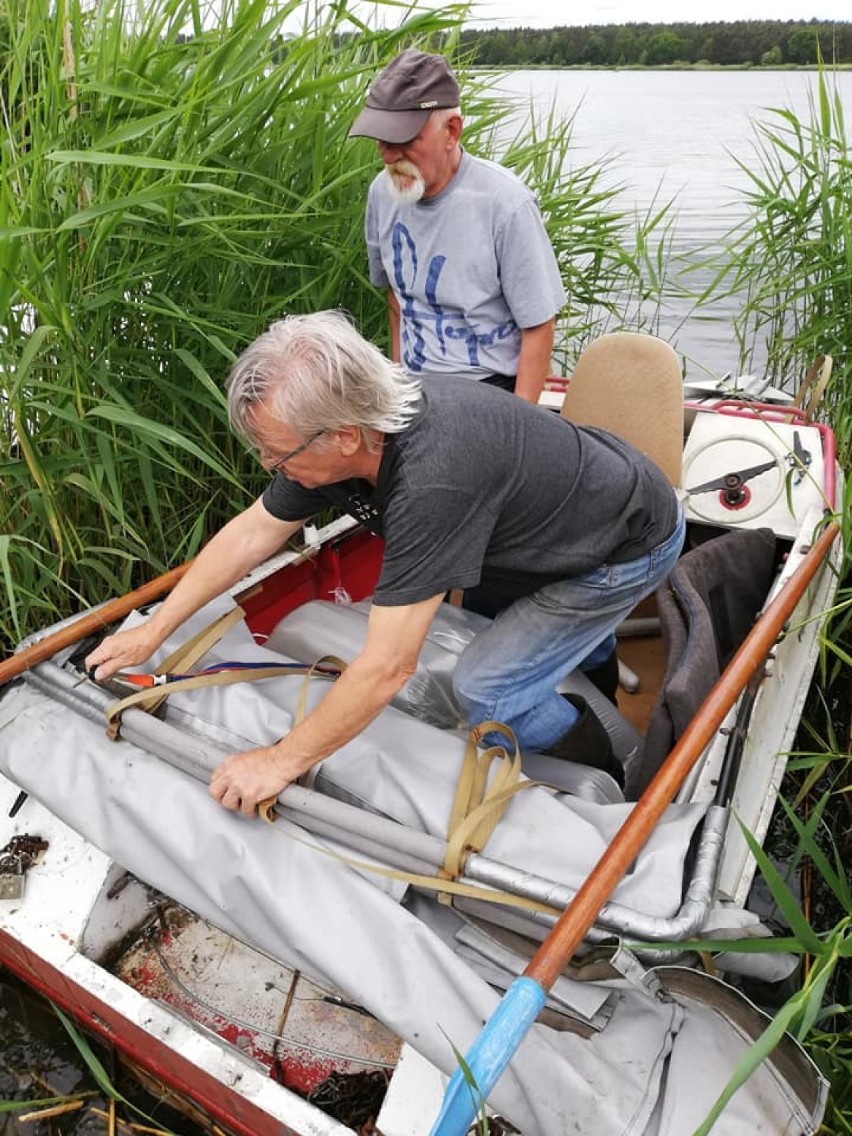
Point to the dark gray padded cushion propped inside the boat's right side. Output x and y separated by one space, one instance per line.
707 608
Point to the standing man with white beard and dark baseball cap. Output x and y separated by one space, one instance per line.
458 243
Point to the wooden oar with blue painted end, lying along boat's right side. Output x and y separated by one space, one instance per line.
524 1000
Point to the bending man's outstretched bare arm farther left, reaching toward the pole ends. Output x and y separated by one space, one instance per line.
243 545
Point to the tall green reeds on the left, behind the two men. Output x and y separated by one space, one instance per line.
170 187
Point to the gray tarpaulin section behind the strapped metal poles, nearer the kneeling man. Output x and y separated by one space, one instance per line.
408 770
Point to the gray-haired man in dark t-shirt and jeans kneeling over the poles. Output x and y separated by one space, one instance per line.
465 486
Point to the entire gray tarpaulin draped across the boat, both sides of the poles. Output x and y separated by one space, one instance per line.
271 888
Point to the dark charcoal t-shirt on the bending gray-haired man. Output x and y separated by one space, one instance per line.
483 487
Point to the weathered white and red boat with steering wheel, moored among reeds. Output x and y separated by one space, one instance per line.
180 933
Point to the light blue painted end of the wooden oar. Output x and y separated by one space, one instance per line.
489 1056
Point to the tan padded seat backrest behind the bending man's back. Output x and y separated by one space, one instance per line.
630 383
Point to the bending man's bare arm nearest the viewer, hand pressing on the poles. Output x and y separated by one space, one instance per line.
390 655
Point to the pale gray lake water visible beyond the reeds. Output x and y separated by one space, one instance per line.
678 136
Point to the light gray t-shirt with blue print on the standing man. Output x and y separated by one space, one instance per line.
470 269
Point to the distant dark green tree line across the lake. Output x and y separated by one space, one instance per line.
756 44
